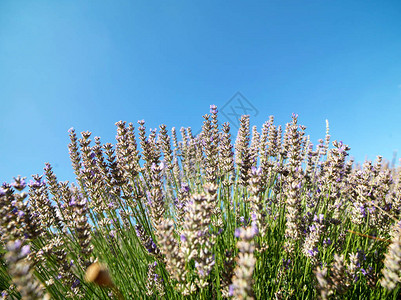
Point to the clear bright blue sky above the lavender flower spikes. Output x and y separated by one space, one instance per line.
89 64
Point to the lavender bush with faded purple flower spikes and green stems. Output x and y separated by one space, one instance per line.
269 216
